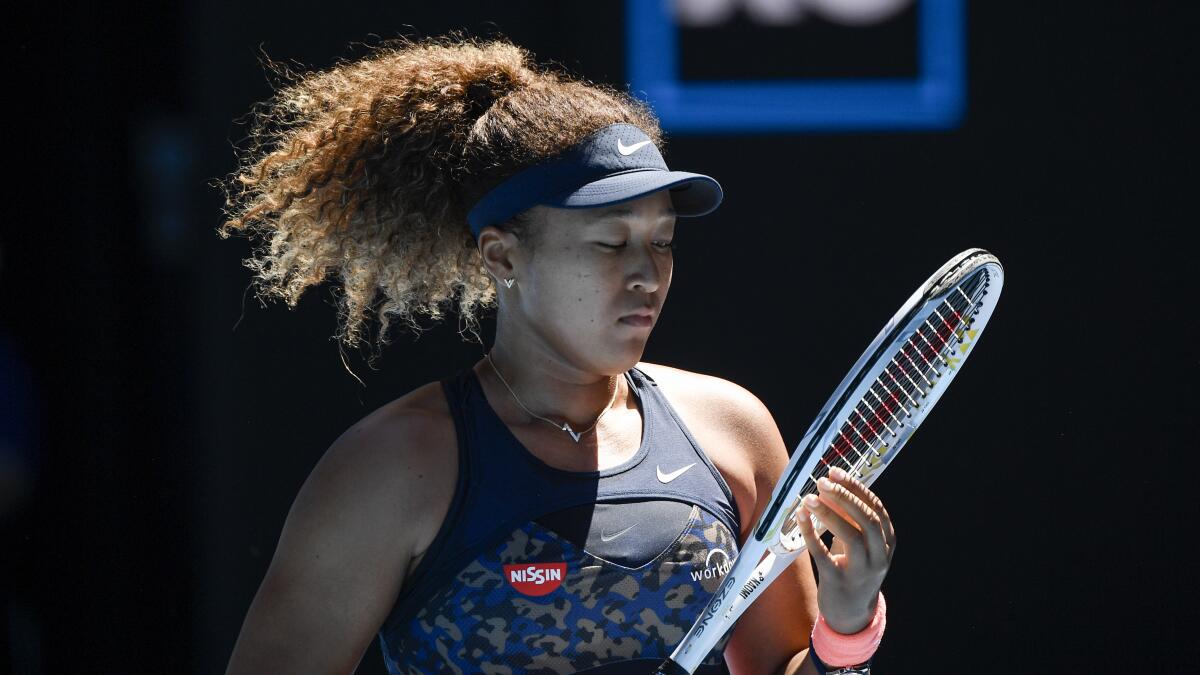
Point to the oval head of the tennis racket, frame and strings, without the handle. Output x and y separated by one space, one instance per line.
891 390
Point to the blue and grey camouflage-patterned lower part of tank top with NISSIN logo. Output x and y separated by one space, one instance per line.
601 613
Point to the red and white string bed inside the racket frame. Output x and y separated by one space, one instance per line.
909 377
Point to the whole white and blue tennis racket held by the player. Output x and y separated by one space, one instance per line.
861 429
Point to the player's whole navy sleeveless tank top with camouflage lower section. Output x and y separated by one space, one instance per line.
538 570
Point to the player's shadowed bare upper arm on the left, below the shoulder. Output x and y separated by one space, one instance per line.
343 555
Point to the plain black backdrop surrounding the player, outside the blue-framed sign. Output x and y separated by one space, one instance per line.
1045 515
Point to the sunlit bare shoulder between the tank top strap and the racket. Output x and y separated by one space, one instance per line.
735 429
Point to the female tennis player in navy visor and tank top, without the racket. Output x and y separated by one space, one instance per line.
559 506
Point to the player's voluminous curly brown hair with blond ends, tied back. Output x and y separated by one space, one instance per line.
367 171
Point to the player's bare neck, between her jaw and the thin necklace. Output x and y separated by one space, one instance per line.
549 385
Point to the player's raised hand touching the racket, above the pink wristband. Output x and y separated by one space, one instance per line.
853 574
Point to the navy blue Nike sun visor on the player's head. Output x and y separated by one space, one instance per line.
615 164
